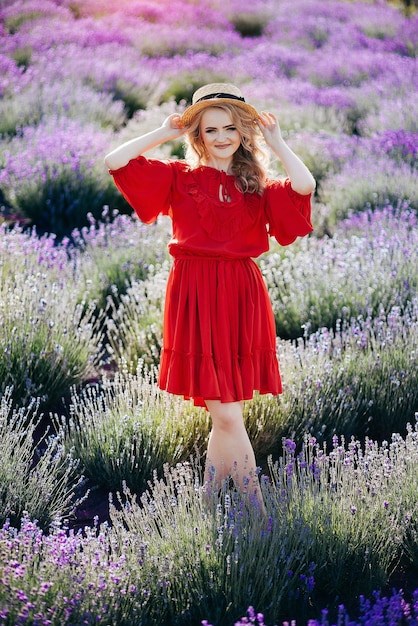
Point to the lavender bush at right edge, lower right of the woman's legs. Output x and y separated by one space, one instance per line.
328 491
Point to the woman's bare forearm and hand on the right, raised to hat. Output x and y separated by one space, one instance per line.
301 178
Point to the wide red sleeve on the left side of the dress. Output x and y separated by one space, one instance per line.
146 185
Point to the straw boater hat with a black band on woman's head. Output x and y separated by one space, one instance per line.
216 94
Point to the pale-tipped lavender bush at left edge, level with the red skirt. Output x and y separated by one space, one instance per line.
47 337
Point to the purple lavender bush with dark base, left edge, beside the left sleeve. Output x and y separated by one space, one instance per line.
52 176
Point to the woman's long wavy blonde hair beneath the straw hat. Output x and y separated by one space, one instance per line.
249 163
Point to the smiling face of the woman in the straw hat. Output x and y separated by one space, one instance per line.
220 137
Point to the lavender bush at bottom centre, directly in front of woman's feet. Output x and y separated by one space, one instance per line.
236 553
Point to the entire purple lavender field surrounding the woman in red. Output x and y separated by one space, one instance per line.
103 518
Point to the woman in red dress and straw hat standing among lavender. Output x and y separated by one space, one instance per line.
219 343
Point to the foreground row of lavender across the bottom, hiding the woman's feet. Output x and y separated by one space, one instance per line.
338 523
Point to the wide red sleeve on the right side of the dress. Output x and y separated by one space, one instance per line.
288 213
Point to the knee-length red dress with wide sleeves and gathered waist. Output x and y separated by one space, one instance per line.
219 339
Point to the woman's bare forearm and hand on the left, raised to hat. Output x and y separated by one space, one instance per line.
168 131
